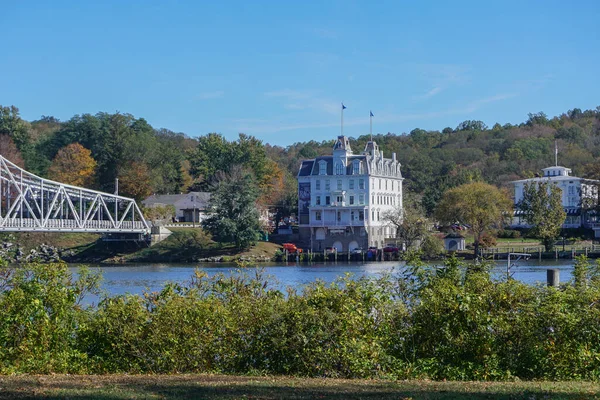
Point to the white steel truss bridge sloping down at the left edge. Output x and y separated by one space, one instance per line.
31 203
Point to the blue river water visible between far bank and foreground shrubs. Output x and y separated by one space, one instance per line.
137 278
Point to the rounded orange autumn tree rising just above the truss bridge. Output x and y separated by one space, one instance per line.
73 165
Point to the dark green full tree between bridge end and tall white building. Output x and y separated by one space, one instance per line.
233 216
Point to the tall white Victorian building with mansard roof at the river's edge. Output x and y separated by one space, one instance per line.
342 198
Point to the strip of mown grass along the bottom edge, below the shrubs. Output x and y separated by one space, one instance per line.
245 387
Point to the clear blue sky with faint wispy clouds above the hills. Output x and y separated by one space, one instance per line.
279 70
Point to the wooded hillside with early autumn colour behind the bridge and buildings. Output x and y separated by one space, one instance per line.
148 160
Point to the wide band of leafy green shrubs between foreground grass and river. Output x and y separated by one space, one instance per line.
450 321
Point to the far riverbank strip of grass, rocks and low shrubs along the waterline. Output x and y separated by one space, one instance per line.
190 245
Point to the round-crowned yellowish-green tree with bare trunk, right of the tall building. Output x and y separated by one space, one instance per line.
479 205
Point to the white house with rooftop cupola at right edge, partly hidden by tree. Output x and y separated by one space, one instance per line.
578 194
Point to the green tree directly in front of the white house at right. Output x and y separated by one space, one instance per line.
542 209
